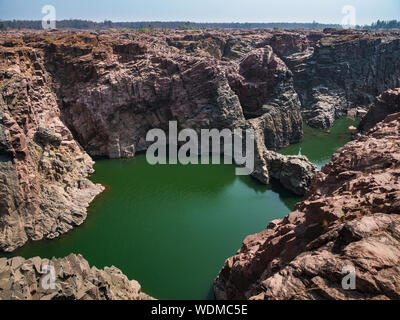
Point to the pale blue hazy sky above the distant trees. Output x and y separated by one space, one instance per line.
324 11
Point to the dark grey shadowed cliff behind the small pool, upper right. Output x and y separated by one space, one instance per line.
345 69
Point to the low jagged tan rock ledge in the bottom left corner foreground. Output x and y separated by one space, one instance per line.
69 278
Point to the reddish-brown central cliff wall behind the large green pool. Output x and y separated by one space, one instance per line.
114 89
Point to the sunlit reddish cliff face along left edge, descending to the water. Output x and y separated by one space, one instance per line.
44 191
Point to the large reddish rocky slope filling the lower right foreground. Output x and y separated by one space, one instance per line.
349 220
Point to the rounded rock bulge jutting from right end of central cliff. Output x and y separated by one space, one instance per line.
264 86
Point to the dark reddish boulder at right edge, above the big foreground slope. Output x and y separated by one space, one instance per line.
387 103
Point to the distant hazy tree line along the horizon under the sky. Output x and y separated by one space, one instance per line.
107 24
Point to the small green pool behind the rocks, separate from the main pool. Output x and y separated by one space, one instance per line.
319 145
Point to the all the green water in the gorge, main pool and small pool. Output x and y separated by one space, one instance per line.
171 227
